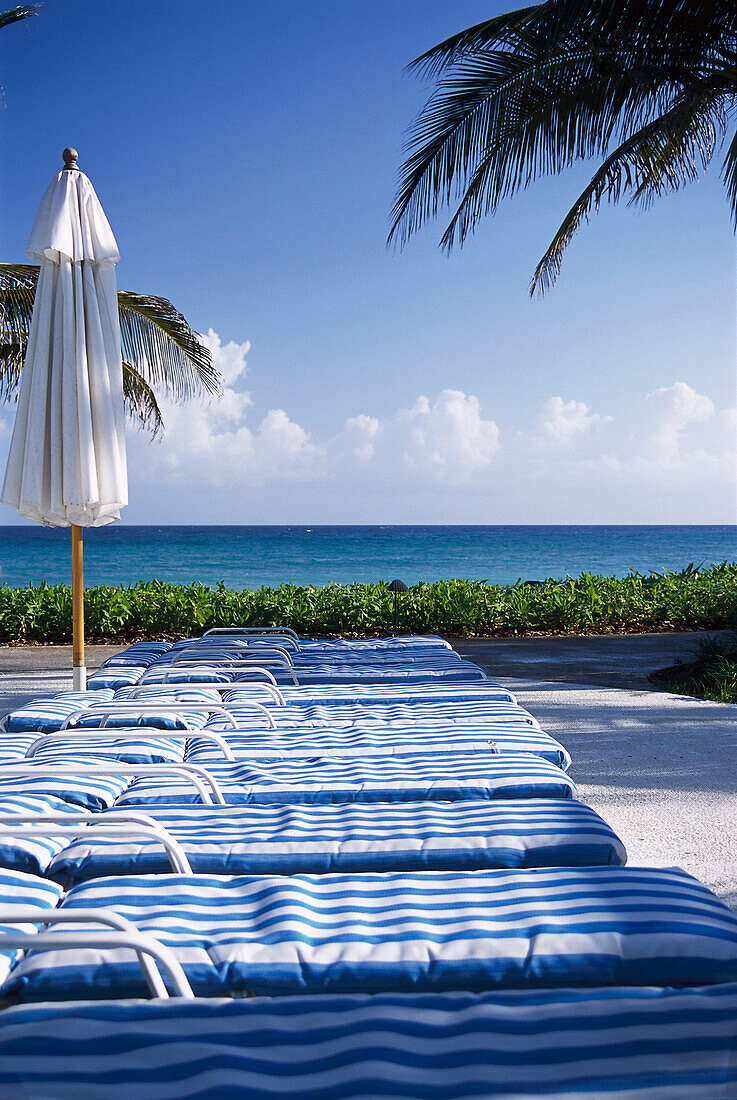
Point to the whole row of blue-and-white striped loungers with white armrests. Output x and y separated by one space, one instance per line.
257 865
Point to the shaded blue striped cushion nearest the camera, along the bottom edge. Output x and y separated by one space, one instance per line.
625 1044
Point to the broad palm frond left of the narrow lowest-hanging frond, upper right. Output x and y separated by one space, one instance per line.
504 119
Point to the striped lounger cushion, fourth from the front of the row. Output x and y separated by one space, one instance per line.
445 777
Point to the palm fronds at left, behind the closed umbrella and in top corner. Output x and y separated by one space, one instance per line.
161 351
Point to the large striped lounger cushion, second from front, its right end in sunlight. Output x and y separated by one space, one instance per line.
430 931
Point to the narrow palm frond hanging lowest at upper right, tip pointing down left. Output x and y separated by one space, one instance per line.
663 156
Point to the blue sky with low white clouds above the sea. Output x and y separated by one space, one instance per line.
246 155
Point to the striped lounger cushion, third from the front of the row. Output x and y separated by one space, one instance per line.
317 840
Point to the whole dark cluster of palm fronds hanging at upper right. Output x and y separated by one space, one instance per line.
648 87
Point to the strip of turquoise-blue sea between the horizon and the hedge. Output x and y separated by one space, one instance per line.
250 557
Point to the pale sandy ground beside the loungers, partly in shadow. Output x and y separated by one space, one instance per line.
661 769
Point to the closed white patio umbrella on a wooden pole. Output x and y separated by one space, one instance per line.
67 465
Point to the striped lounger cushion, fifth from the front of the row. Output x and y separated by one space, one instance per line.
379 741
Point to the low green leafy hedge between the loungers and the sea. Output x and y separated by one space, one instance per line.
694 599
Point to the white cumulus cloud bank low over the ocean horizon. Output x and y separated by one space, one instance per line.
445 459
